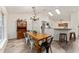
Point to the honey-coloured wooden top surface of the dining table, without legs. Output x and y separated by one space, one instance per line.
38 36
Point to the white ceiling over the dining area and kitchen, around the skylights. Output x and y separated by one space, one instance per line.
65 10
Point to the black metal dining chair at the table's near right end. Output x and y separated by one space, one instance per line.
47 44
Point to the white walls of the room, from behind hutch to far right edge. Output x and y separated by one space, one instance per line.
12 17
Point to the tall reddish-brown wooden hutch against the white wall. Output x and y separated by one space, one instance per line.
21 28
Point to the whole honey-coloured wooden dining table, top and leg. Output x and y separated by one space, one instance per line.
38 37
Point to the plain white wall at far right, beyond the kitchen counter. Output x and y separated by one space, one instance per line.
74 23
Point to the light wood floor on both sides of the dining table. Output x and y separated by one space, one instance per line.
19 46
